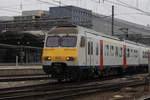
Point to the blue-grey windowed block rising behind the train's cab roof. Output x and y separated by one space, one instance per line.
75 15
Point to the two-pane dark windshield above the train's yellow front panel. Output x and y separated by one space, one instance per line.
64 41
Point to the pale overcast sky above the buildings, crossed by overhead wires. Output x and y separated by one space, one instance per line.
124 9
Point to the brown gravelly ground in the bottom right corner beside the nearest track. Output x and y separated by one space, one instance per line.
123 94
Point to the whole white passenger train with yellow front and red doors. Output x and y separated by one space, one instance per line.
75 52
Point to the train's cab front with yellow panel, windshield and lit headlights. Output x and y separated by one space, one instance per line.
60 53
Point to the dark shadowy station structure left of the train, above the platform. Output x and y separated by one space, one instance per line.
20 47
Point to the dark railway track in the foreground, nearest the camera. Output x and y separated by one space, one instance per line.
55 91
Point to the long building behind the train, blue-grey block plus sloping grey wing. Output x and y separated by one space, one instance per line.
102 23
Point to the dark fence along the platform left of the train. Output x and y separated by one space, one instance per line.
19 55
